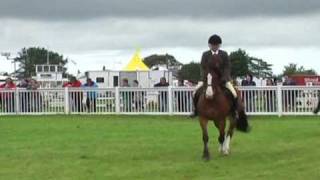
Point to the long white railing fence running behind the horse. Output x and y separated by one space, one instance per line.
268 100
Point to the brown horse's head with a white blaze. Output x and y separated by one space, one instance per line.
213 76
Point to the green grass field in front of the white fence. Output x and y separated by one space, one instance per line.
154 147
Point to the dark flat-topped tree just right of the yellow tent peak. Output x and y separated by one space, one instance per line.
168 60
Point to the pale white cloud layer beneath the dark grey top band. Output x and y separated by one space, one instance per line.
105 40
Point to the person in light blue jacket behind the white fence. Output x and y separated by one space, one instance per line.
91 95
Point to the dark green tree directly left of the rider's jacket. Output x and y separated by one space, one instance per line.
190 72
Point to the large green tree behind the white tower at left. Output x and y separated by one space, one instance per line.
28 58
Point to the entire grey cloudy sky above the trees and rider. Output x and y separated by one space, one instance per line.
99 32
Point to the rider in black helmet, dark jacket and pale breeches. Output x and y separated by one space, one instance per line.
214 43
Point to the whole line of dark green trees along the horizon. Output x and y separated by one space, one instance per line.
242 64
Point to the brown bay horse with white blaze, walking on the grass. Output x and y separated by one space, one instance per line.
217 104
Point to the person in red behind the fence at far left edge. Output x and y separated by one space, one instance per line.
7 97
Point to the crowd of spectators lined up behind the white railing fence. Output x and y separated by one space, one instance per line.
135 100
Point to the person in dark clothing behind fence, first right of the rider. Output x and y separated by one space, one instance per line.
249 95
